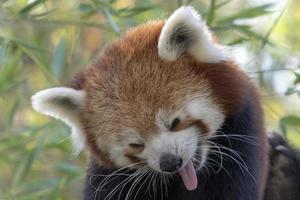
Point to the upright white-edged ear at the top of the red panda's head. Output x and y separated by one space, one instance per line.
184 31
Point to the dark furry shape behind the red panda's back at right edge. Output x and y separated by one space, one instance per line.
284 174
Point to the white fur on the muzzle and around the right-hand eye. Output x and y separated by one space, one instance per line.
184 143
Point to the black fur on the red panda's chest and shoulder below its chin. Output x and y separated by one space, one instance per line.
234 183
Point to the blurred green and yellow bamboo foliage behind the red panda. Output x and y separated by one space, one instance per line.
44 42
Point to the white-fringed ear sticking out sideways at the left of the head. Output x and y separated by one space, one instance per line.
65 104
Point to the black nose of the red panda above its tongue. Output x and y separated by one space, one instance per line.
170 162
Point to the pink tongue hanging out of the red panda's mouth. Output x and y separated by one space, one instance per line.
188 175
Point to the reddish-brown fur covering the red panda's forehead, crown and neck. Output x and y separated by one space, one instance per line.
128 83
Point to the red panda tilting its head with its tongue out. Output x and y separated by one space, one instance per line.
165 114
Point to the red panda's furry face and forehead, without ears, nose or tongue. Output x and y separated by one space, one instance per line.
139 108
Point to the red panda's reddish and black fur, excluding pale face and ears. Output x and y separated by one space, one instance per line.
147 84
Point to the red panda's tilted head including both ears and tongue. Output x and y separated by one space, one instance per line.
152 98
